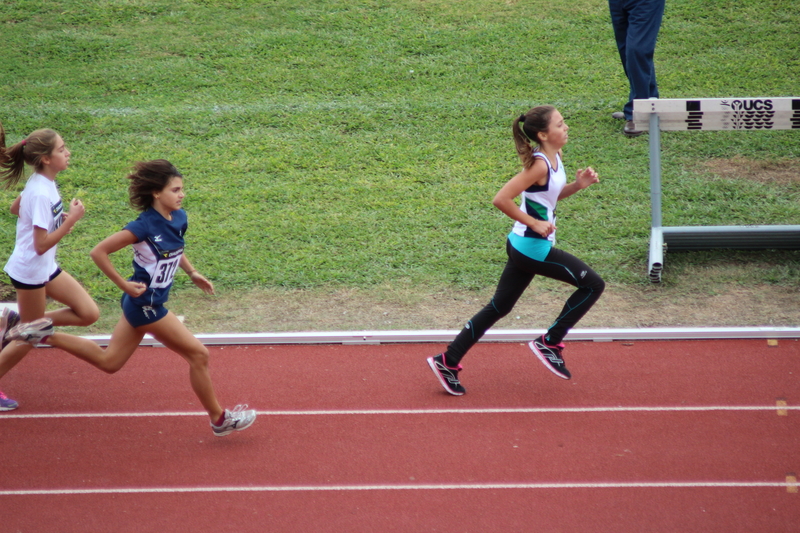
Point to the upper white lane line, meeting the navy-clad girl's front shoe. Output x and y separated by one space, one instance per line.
500 410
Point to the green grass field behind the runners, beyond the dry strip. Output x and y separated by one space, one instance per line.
333 143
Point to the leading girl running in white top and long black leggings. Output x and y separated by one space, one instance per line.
539 136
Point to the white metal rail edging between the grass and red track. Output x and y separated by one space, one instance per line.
509 335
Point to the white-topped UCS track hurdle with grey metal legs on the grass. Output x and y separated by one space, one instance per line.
710 114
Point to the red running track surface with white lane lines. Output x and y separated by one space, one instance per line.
675 436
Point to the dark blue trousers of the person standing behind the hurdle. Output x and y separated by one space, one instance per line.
636 24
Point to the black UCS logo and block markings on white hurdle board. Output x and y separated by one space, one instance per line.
741 114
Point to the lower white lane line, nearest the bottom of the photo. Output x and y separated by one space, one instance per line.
448 486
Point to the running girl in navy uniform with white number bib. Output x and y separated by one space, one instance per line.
157 239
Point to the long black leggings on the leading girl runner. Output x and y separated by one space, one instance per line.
517 275
